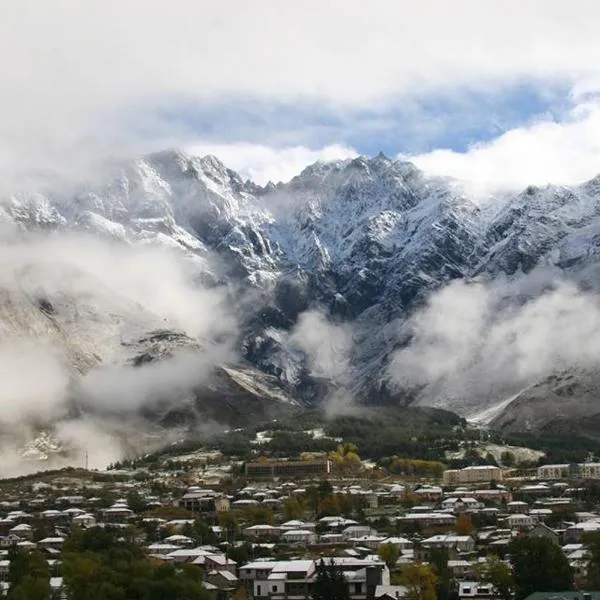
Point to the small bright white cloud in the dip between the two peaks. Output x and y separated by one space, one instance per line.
262 164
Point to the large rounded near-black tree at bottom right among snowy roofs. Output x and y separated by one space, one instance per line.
539 565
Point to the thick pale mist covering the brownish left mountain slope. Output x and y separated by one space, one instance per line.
75 312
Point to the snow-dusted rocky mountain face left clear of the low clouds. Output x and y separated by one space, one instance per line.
365 241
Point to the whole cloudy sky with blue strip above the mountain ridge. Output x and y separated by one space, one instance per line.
498 93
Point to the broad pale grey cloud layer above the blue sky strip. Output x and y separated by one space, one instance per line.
82 82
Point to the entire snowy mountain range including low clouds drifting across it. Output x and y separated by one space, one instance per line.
360 281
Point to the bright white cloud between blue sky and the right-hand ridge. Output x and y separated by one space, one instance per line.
563 152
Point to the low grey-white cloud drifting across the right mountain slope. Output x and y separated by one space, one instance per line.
475 342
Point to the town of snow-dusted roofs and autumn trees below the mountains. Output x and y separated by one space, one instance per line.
309 526
